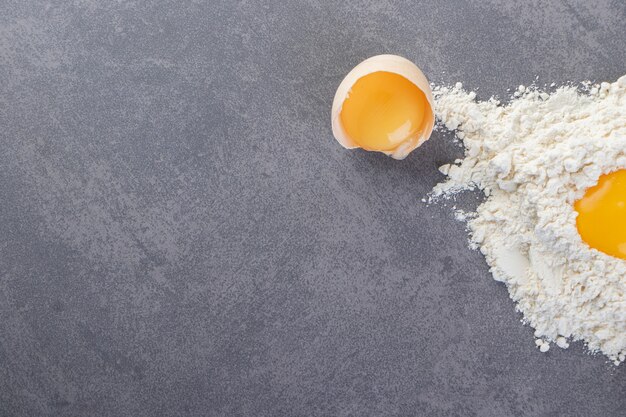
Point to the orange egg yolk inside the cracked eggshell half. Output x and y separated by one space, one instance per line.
382 110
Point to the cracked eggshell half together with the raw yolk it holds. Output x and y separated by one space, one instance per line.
384 104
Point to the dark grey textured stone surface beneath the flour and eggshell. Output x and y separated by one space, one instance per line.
180 235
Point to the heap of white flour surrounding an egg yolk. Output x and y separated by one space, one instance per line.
533 159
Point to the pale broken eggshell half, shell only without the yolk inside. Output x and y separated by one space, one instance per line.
389 63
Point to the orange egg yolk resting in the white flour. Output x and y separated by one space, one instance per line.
601 218
